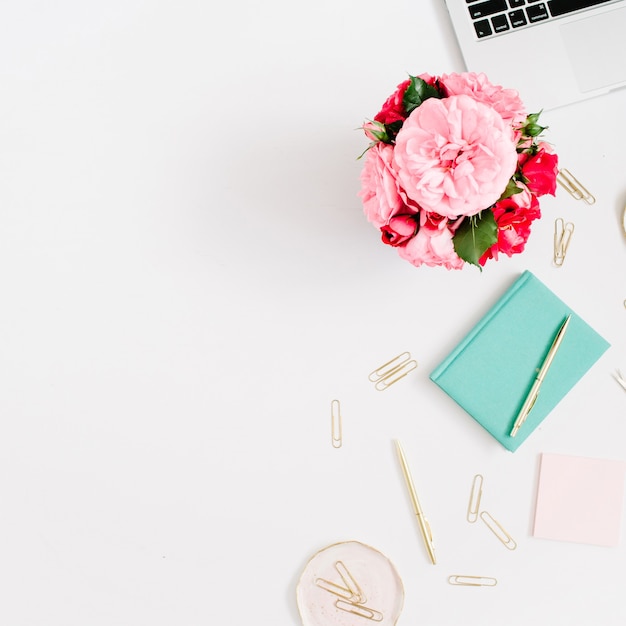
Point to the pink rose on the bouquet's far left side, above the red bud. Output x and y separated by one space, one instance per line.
379 186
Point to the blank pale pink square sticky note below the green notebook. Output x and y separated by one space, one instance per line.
579 499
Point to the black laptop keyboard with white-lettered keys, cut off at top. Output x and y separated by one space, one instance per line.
493 17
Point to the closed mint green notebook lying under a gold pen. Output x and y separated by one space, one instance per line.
492 369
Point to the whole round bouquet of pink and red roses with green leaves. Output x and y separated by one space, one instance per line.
454 170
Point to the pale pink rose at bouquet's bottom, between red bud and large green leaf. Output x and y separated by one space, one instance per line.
432 245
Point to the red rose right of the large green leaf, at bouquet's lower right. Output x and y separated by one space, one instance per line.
514 223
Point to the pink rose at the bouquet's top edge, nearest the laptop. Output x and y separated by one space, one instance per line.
505 101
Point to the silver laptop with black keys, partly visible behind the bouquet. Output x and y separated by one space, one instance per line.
553 52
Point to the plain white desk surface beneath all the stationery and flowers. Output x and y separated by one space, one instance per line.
187 281
